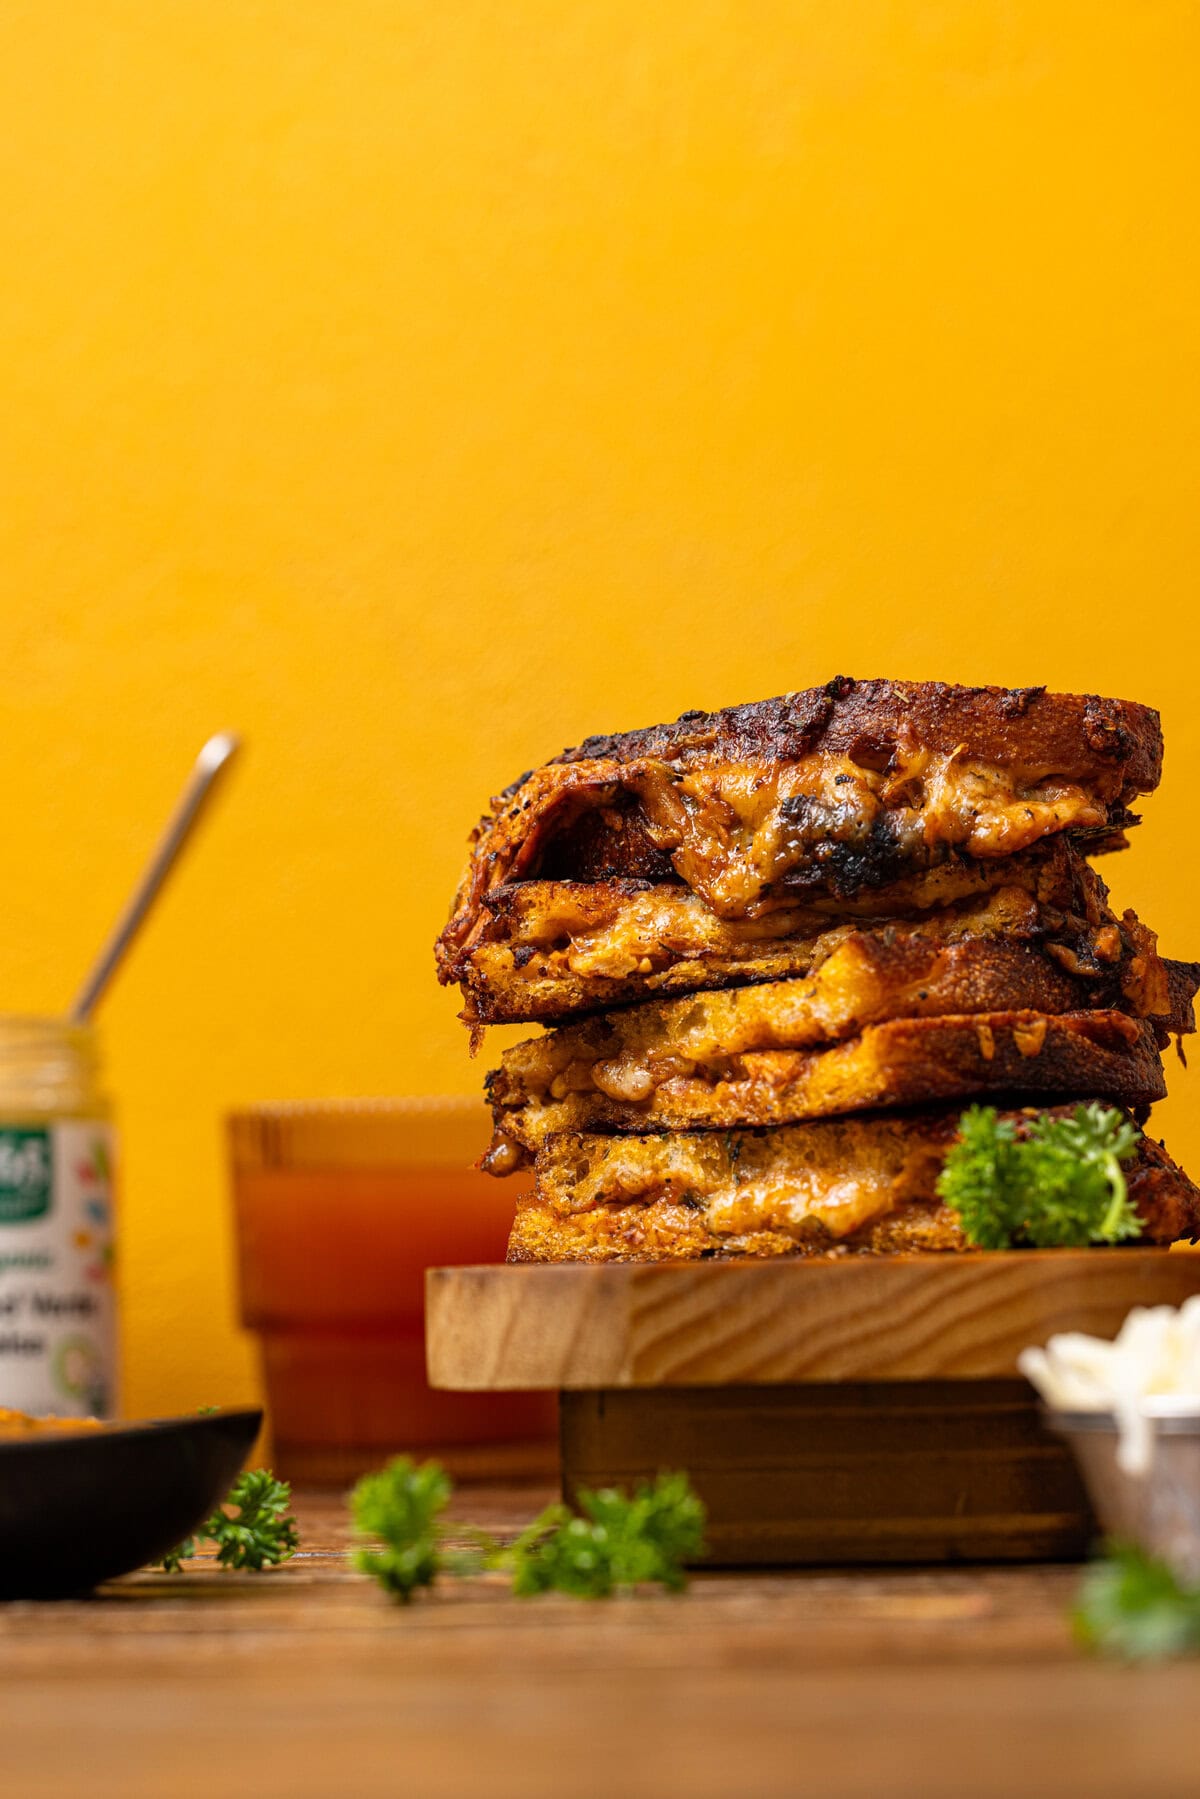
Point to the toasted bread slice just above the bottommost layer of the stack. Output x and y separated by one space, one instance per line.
904 1062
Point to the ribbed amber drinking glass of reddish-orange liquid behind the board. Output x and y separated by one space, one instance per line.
341 1208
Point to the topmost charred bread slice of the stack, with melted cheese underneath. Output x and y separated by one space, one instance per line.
834 791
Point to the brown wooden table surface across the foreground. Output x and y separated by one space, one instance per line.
944 1685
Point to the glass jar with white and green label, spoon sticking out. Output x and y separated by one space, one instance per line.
57 1242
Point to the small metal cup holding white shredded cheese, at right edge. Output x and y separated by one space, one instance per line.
1158 1510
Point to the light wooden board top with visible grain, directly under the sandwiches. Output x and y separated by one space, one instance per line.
703 1325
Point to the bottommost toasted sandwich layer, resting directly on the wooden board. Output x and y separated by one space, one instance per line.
841 1186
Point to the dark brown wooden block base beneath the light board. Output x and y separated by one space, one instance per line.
841 1474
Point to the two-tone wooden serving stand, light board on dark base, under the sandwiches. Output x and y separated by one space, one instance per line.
828 1413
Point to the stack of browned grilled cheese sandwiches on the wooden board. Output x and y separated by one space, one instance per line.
782 949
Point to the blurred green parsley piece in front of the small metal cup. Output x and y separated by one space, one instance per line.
1133 1606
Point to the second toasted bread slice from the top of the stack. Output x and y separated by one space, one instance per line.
555 949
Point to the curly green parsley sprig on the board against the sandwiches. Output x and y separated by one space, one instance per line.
1057 1183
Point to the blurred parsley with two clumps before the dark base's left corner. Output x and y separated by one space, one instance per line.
611 1544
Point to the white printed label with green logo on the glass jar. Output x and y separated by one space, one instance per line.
57 1246
